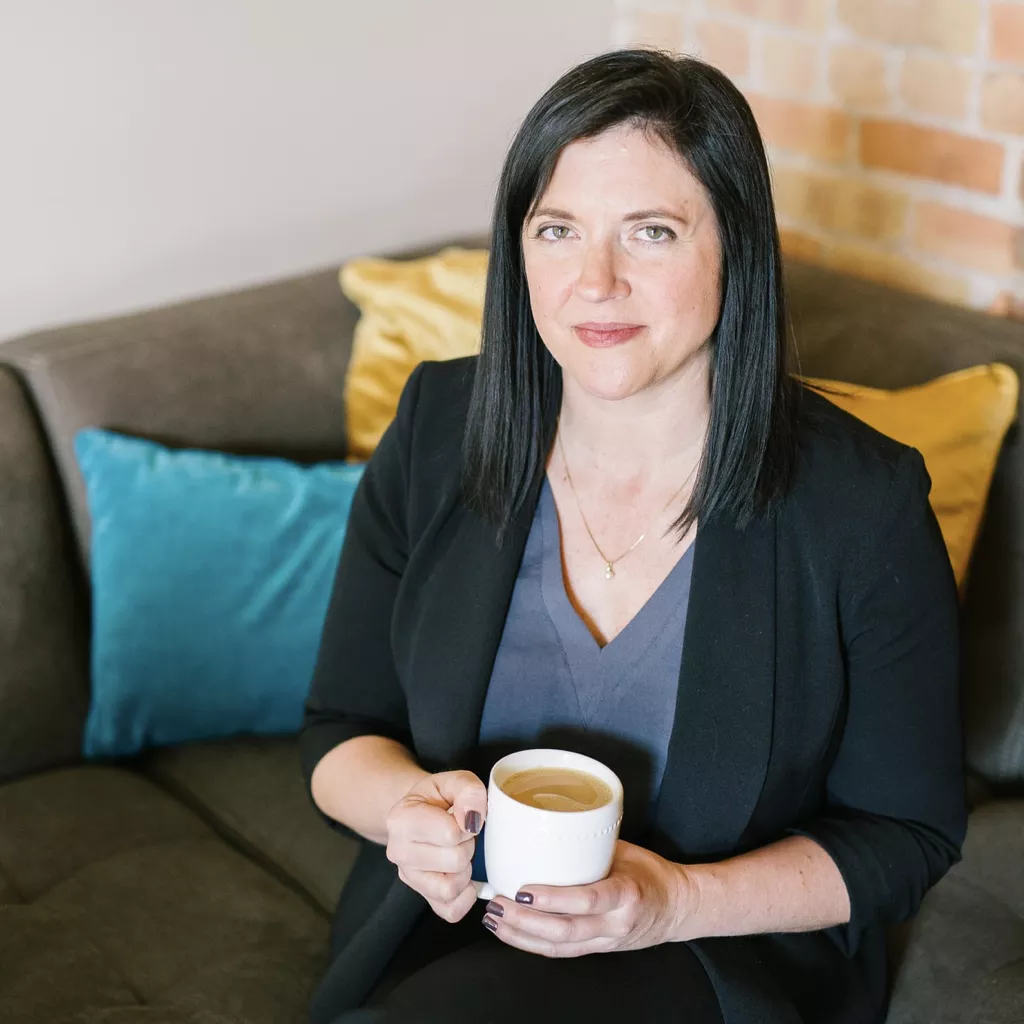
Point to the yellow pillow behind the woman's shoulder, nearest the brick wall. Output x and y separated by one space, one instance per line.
958 423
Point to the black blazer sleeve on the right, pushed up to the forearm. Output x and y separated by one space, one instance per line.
895 815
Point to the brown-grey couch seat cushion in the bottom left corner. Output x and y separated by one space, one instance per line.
130 909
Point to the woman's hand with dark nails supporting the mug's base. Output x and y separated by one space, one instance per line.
645 902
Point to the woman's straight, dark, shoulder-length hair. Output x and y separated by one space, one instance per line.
749 454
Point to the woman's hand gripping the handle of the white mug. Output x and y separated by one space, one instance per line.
432 836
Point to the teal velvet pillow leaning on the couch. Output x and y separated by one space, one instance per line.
211 576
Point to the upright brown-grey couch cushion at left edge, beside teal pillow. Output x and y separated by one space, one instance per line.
45 688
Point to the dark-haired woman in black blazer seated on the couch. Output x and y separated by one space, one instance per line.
626 530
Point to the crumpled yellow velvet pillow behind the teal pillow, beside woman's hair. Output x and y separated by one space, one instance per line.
411 311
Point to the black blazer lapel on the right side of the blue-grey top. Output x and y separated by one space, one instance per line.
721 737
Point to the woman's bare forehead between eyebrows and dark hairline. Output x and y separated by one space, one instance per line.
626 159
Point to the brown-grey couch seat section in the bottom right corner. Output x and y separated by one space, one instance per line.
965 961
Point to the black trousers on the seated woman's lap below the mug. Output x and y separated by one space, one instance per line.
446 973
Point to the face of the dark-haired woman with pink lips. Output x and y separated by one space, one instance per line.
625 237
